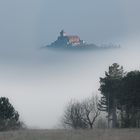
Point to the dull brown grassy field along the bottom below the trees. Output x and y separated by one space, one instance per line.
96 134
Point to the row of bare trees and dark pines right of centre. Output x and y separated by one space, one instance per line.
120 99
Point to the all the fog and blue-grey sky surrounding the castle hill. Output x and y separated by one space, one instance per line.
40 82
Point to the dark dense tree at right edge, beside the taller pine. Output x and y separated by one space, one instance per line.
130 100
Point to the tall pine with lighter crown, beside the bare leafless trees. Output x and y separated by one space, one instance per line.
110 90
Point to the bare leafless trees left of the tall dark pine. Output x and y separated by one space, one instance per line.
81 114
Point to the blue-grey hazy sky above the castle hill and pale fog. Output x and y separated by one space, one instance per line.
32 23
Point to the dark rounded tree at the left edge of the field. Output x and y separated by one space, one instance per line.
9 117
